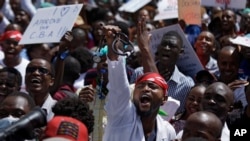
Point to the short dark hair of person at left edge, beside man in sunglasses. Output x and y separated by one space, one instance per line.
14 71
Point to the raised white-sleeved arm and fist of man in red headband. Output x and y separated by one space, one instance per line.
118 98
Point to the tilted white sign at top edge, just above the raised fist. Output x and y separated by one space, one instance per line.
133 5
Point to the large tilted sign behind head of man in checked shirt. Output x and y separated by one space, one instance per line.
188 62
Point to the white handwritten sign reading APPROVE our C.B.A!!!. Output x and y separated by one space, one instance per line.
49 24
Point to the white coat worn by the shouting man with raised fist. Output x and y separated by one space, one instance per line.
123 122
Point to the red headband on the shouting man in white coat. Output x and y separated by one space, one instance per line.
154 77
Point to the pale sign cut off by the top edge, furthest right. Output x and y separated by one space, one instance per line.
237 4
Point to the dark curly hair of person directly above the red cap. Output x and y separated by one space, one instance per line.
75 108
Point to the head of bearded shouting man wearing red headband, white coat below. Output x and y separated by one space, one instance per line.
149 94
